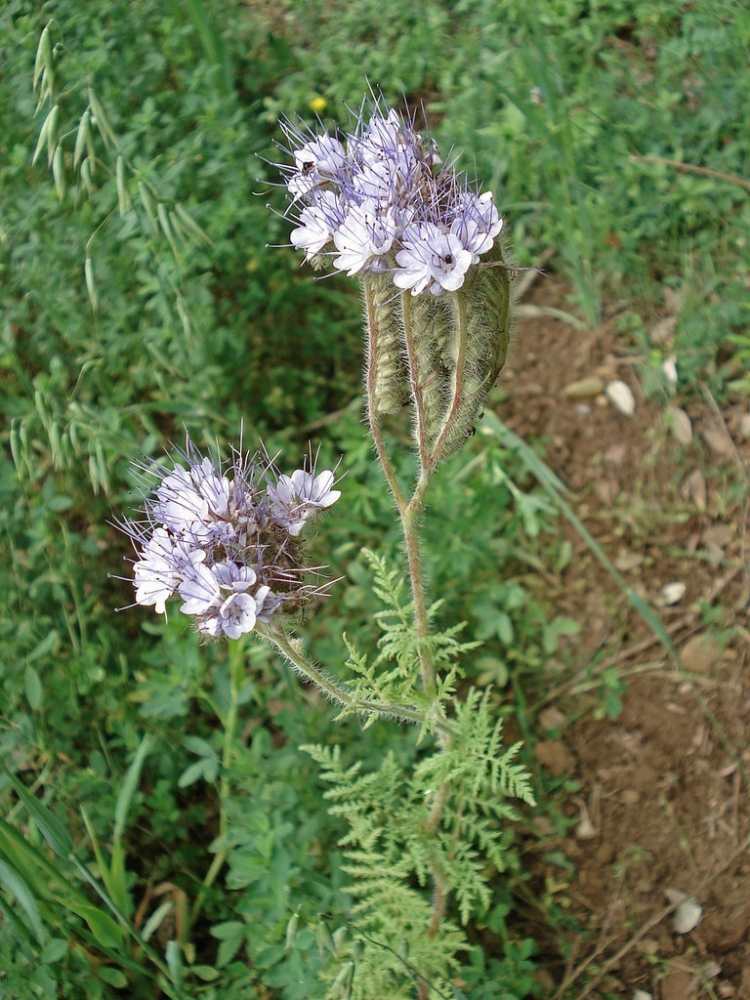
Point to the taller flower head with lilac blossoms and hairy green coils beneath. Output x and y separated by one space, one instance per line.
380 205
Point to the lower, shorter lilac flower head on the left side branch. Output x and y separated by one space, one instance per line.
224 539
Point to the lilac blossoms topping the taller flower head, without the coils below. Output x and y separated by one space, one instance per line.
378 200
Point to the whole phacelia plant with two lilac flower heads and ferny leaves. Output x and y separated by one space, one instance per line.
227 540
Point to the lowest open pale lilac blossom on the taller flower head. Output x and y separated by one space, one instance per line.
431 259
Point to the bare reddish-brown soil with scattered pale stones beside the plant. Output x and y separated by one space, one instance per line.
662 804
